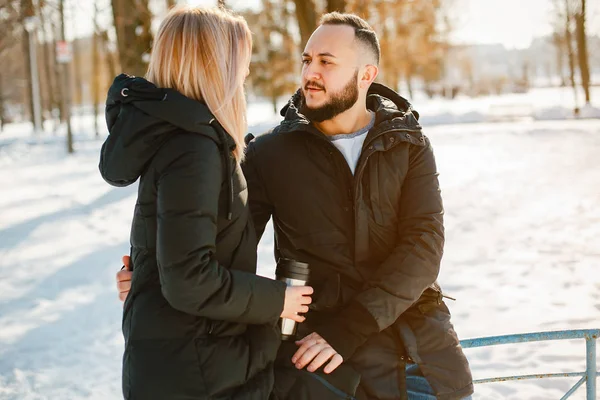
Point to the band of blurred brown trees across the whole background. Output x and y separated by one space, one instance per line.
105 37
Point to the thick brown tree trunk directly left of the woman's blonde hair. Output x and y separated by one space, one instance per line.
132 24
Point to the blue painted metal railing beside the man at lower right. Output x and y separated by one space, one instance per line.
588 377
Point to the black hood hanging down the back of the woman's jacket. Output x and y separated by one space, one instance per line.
141 117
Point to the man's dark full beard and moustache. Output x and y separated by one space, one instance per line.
337 104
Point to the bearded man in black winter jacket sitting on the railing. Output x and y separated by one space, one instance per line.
351 184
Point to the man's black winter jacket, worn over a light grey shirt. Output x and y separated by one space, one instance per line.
374 240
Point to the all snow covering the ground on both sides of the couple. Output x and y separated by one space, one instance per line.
522 252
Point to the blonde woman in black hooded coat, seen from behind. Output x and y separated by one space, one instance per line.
198 323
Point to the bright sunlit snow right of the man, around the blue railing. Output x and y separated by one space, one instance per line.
523 244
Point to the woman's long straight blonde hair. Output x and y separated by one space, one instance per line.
204 54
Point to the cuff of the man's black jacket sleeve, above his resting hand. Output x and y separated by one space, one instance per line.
349 329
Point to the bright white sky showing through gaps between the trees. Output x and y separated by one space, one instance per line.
513 23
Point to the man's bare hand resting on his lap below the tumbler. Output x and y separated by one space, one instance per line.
314 348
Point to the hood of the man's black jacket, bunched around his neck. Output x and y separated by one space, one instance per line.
385 102
